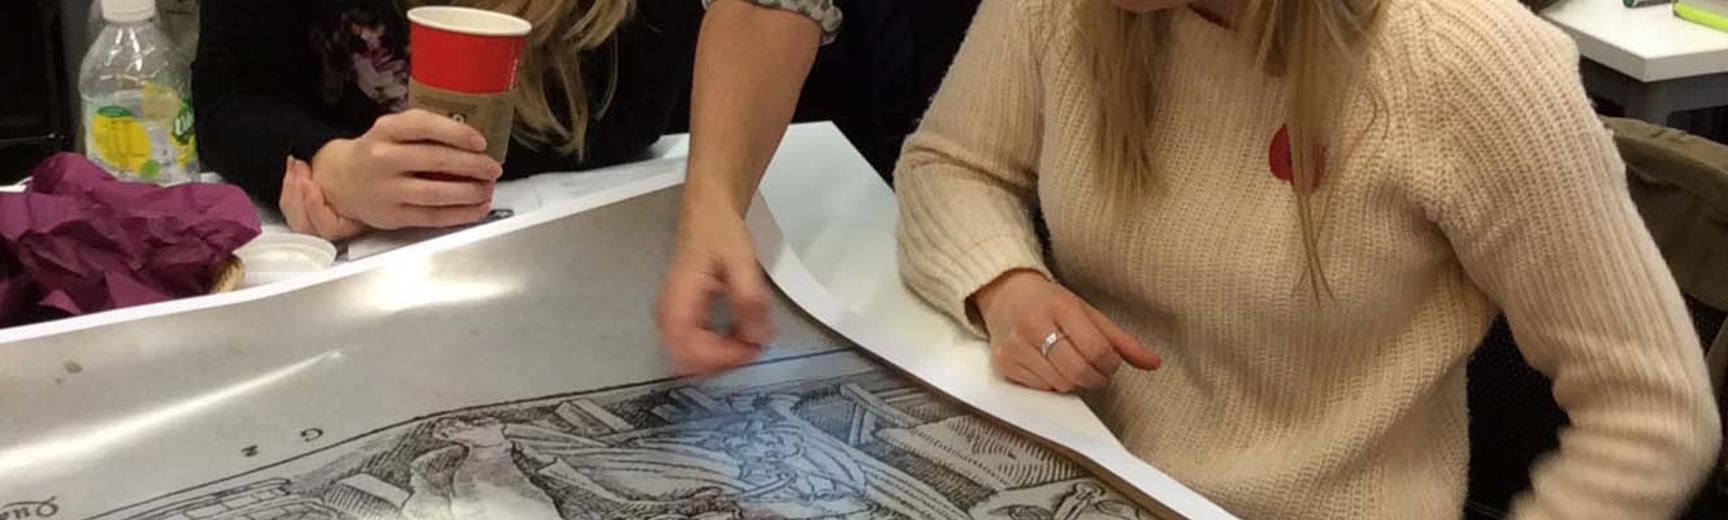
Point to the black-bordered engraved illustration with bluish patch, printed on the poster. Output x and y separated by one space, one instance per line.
842 440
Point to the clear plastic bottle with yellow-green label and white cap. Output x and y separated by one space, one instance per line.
137 105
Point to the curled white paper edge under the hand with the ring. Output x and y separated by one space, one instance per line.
827 236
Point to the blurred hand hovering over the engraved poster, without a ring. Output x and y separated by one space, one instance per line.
716 258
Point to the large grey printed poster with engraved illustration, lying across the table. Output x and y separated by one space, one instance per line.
519 381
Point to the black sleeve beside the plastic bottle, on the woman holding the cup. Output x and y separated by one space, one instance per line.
251 82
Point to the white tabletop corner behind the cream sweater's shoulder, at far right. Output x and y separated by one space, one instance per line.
1648 44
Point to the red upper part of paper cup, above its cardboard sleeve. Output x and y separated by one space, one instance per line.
466 49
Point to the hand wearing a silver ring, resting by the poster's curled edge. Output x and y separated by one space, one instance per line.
1022 310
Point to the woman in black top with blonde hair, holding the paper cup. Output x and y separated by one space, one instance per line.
319 87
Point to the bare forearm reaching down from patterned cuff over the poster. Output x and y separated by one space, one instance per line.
751 67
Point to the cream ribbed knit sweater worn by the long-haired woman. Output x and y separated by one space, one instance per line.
1482 184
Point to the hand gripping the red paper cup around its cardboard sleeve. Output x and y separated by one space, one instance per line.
412 170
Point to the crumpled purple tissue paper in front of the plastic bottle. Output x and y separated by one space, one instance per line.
80 241
